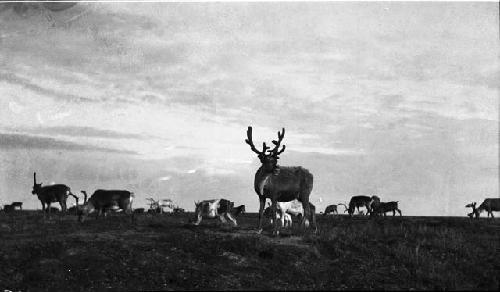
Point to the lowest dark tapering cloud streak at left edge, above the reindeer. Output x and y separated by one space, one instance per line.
18 141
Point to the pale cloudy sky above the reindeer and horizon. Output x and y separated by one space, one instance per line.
397 99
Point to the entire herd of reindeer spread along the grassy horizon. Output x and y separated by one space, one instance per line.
287 187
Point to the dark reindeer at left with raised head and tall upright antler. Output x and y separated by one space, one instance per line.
50 194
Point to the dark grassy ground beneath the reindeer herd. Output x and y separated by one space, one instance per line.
163 252
